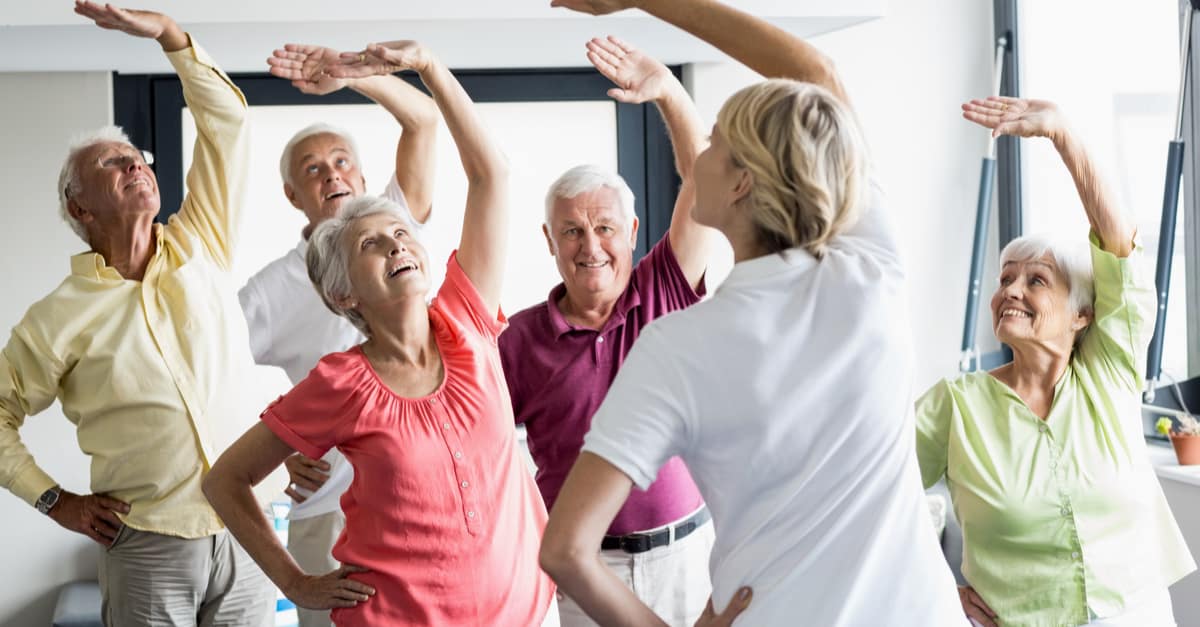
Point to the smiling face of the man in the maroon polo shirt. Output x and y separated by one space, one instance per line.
592 243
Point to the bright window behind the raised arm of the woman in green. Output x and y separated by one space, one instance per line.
1120 98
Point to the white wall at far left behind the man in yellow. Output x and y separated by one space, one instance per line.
40 114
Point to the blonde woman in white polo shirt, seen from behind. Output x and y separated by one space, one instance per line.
789 393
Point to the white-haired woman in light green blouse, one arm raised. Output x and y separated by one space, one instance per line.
1064 521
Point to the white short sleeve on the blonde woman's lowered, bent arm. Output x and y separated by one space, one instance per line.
646 417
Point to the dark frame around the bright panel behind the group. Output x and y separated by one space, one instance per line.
149 108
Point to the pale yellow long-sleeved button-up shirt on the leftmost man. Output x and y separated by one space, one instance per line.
152 373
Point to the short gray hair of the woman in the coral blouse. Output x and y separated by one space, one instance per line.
328 260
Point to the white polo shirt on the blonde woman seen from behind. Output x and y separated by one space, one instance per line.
789 396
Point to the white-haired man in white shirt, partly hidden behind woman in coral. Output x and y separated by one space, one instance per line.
290 327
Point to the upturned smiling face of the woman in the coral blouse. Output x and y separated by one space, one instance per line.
387 265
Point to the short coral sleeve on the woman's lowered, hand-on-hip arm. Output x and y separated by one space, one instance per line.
311 417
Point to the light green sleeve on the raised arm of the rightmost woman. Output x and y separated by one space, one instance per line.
1124 315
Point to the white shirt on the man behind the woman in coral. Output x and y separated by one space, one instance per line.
291 329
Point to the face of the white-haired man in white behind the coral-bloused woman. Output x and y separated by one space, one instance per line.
325 176
